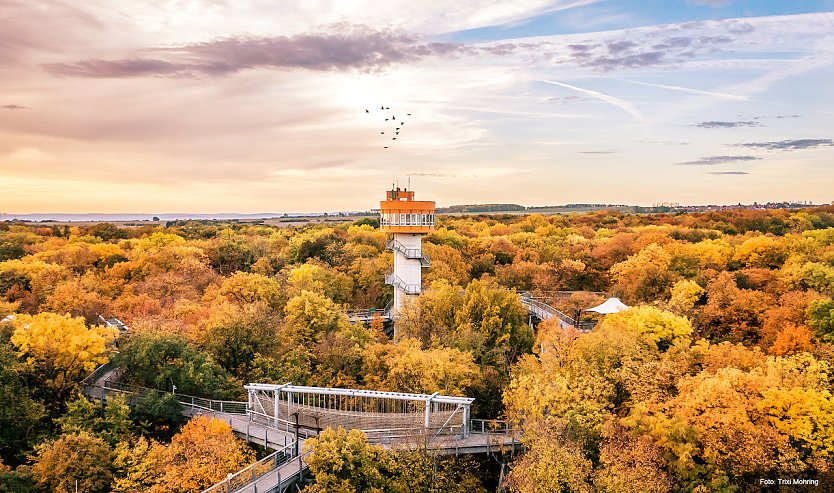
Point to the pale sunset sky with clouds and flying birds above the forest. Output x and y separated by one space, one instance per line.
294 106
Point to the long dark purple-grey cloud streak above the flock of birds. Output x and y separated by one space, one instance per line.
349 48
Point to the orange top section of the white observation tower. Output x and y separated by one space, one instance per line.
400 213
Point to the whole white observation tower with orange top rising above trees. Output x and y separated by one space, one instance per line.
408 220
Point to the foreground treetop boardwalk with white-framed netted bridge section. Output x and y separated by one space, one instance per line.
282 417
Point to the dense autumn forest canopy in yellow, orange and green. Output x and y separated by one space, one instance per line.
721 373
